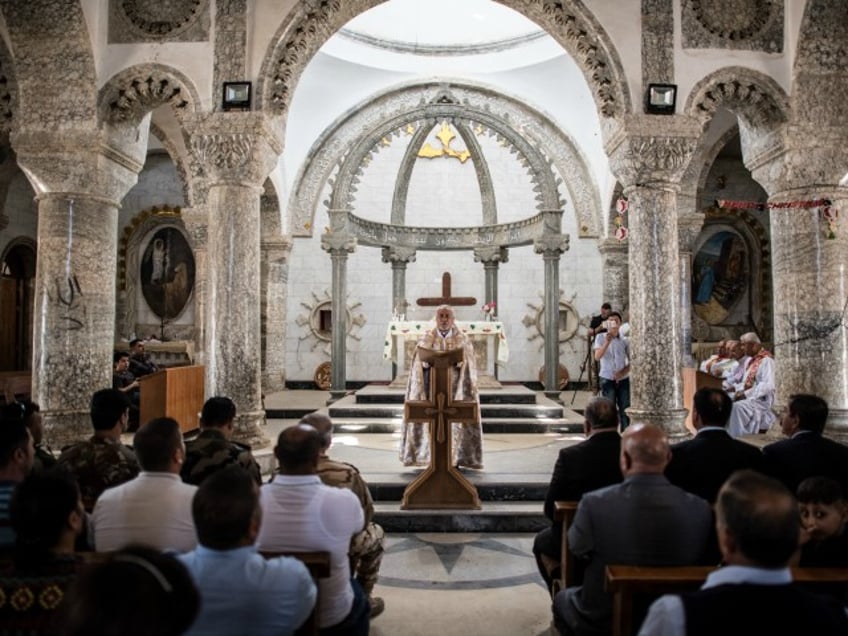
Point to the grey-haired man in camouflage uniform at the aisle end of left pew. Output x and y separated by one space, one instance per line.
366 548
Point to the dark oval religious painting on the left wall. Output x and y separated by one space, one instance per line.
167 272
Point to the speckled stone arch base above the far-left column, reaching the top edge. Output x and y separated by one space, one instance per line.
62 73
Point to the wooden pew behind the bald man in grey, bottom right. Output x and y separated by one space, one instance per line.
634 587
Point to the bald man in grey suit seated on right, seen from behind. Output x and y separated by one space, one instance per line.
645 520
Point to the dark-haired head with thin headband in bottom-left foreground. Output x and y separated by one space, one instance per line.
137 591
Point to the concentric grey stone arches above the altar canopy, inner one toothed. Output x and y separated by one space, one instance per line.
351 139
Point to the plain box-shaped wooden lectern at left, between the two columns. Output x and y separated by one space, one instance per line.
175 392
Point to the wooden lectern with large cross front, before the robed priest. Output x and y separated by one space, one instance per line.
441 485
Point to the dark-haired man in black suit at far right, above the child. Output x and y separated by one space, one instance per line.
807 452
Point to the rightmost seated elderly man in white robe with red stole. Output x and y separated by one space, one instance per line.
753 395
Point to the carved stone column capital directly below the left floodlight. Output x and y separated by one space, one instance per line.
238 148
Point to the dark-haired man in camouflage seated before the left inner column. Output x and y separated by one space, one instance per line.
213 449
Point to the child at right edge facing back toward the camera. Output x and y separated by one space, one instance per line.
824 517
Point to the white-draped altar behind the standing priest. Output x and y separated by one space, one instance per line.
487 337
